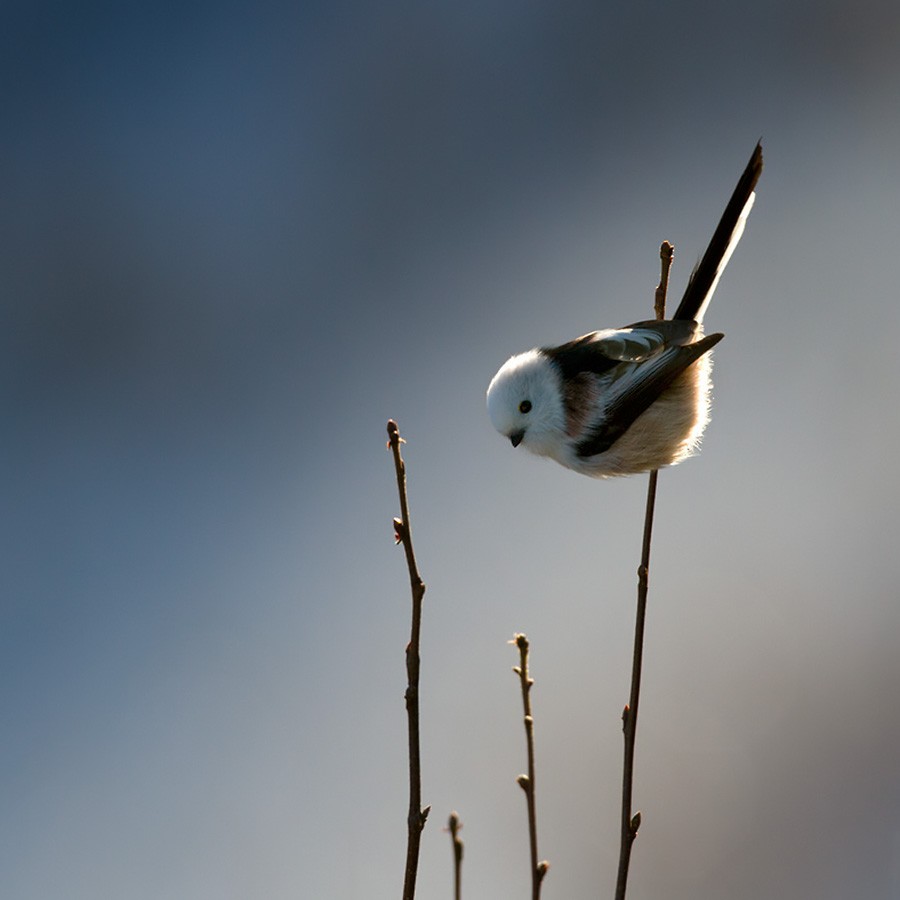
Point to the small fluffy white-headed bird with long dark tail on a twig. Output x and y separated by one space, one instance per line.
622 401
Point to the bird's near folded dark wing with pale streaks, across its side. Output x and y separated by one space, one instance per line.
630 395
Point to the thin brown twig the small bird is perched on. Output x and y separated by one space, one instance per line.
631 822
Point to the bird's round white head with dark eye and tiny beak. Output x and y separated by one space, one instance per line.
525 403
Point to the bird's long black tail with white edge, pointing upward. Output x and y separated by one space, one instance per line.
705 277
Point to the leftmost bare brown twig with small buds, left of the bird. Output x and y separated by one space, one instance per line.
403 533
